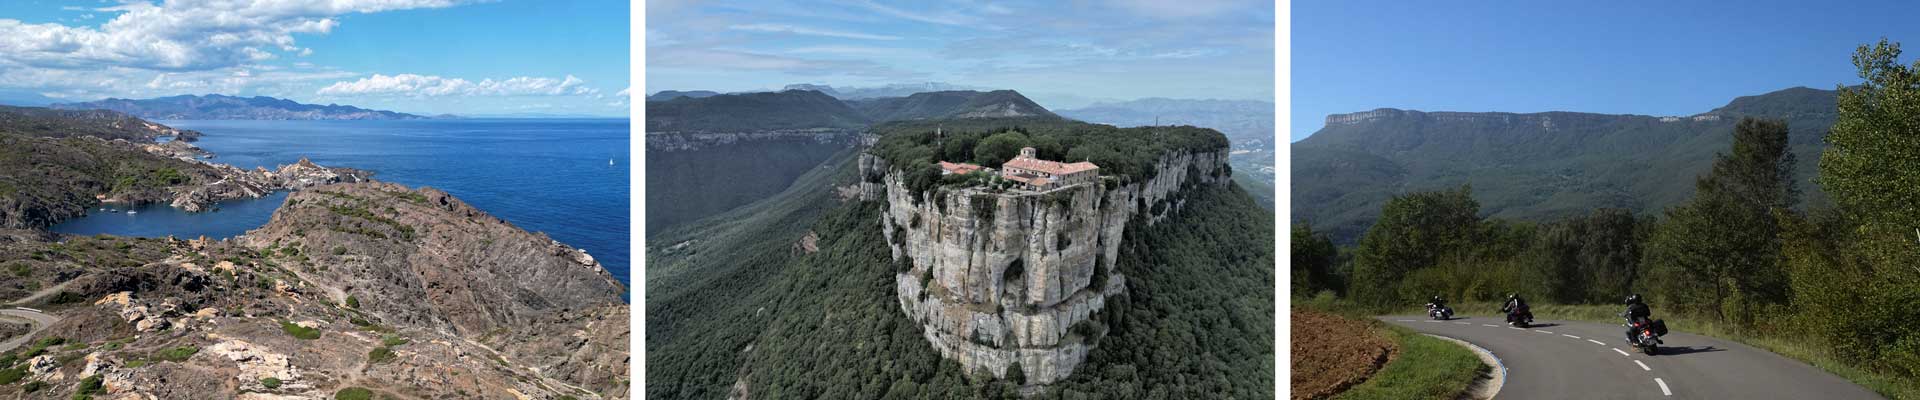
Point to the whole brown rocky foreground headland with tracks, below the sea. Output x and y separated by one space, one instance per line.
404 293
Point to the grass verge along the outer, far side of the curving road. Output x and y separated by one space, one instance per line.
1802 349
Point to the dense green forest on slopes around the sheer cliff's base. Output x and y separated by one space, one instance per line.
734 305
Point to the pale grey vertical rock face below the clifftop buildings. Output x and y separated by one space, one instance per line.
1003 278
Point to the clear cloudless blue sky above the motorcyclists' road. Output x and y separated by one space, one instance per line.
1675 59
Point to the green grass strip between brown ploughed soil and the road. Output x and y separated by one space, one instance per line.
1428 368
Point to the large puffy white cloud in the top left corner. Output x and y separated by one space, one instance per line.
185 36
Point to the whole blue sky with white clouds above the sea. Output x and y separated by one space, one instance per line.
423 57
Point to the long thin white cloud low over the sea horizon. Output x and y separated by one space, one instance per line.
431 86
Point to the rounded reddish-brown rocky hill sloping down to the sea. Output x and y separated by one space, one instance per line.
423 259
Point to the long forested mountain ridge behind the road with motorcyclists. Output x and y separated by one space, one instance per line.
1535 166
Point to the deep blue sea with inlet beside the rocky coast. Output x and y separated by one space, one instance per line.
565 178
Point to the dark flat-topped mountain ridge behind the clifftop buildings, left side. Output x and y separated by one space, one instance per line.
817 111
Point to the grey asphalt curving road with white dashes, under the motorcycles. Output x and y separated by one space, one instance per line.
1593 361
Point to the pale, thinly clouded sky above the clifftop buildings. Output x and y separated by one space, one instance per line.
1061 55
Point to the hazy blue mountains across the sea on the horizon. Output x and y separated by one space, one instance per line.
218 107
